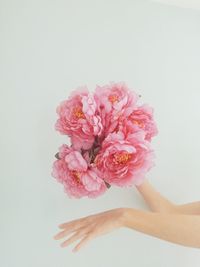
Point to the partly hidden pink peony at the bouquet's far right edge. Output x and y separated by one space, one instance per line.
142 117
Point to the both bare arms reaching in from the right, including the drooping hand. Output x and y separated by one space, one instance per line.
179 224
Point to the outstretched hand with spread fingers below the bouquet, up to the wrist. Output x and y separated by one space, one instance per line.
89 227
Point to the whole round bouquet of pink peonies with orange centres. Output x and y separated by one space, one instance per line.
110 137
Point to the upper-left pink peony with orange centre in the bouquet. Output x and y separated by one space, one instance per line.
78 118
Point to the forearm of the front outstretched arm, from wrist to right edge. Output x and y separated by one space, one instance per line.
177 228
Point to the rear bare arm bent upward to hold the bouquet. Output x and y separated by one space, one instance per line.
158 203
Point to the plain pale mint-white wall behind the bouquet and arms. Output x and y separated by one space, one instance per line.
48 48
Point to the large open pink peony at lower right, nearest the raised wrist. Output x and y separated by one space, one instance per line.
124 159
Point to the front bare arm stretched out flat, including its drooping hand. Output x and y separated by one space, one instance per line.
181 229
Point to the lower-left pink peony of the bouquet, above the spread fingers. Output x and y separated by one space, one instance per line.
78 178
